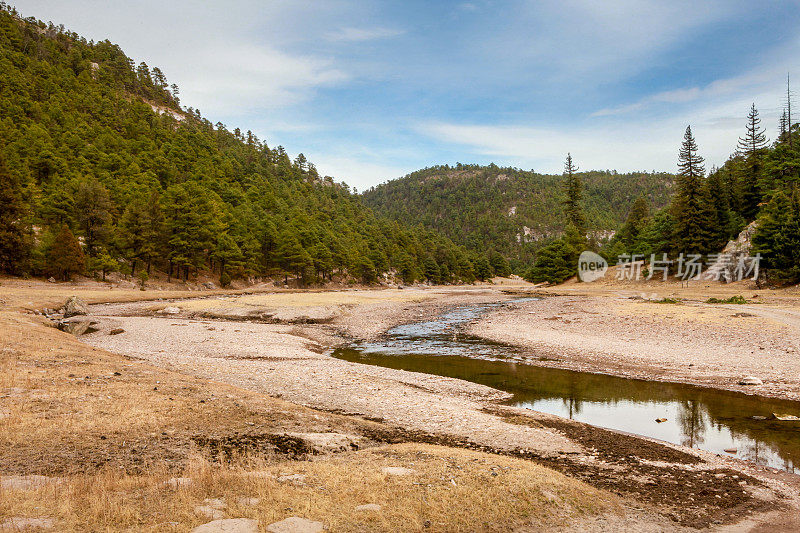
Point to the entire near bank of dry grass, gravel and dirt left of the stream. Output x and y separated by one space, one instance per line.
237 383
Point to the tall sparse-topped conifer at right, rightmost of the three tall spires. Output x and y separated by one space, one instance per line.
751 148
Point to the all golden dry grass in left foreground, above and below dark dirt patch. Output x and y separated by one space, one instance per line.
113 430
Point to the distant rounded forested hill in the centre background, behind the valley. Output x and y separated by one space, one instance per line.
509 210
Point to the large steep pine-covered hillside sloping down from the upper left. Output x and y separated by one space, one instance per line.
102 170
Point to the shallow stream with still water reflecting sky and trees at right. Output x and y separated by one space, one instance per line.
697 417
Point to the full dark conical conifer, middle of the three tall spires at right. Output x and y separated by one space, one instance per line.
691 205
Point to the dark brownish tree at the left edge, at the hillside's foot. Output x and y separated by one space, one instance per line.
13 245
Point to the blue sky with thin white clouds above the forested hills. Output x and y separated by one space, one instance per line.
372 90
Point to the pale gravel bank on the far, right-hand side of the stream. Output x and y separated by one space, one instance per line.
692 342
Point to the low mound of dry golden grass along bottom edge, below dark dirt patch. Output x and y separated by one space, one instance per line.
449 490
